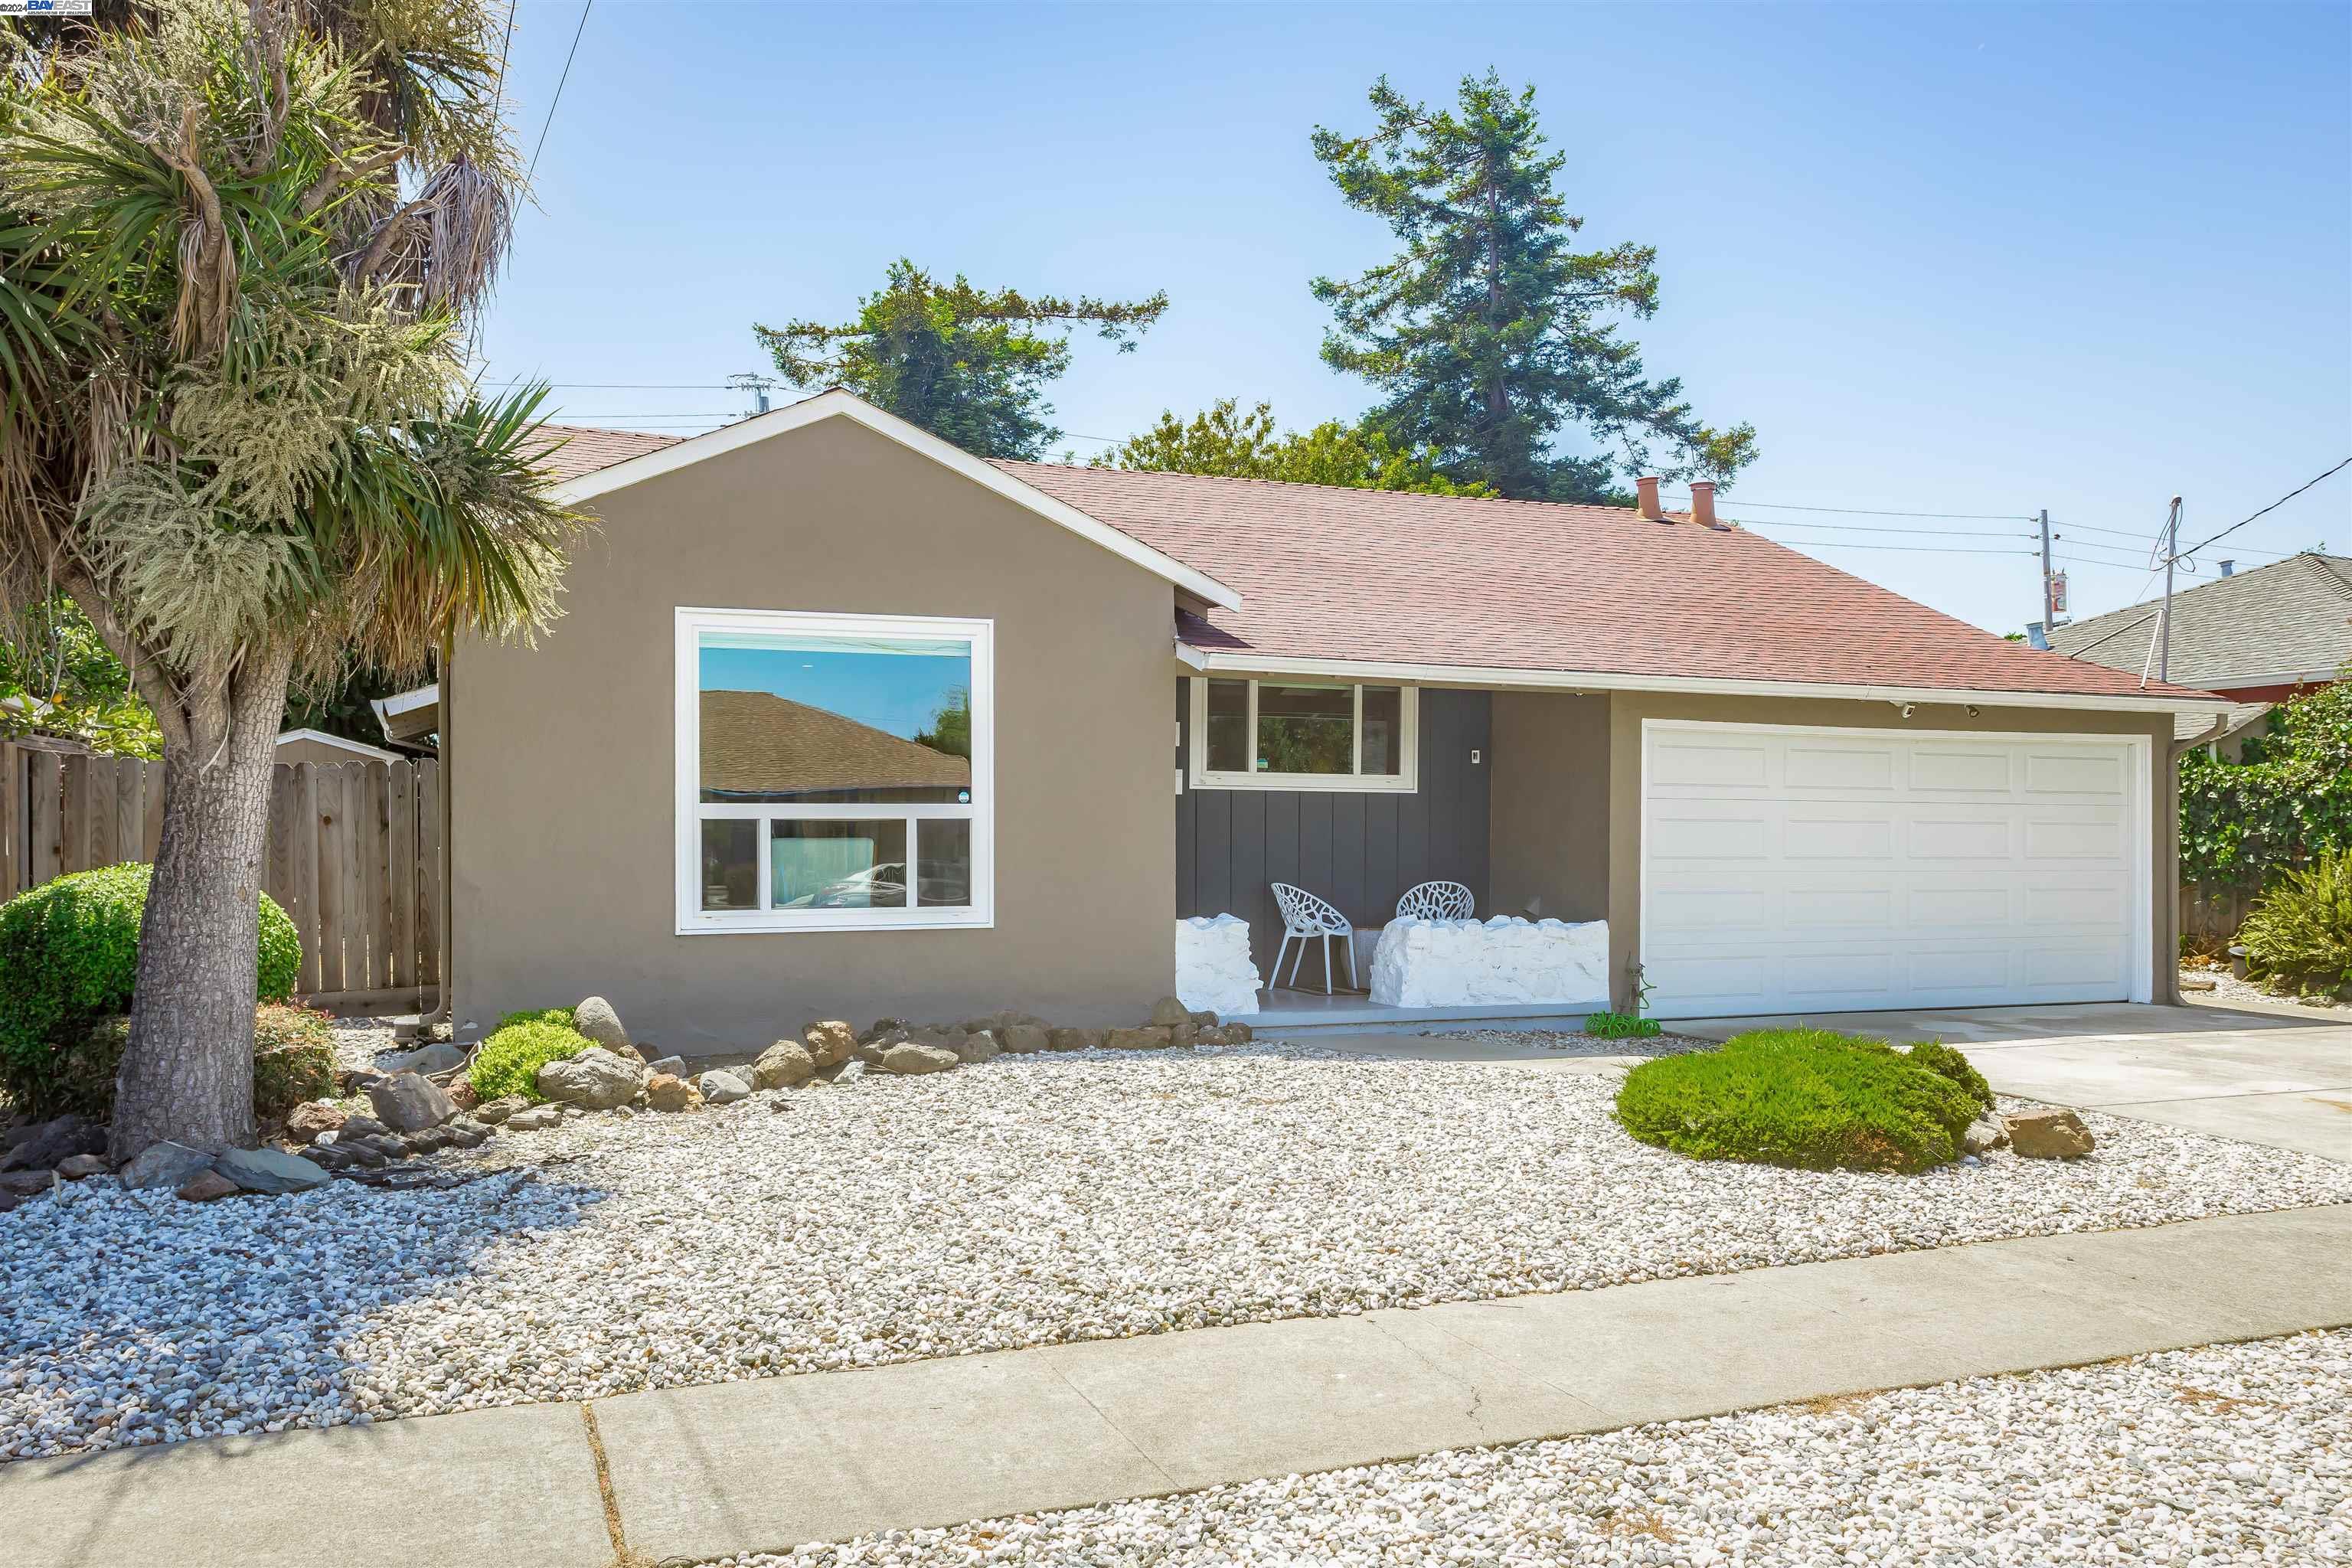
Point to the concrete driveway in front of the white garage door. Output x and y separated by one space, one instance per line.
2278 1076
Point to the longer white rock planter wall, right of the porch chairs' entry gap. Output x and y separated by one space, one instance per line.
1506 960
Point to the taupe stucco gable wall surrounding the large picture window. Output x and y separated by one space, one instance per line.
561 760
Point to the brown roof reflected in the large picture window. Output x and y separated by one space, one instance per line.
759 744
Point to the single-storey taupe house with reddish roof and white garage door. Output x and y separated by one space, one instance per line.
846 723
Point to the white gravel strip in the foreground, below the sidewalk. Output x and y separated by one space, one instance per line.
2231 1454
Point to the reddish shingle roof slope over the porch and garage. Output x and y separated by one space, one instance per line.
1387 577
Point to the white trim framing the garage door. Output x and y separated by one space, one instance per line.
2139 960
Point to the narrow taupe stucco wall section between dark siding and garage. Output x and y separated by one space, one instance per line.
1549 805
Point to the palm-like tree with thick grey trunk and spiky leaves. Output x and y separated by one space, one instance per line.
239 248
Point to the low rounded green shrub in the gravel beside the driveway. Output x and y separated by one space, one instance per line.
1808 1099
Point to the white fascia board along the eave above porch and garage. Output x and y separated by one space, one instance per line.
1697 685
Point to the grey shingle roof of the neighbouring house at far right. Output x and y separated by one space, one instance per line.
2252 629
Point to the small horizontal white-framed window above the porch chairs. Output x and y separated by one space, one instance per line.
1302 735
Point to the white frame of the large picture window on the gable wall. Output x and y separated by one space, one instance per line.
695 920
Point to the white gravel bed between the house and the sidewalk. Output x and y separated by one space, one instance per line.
1022 1202
